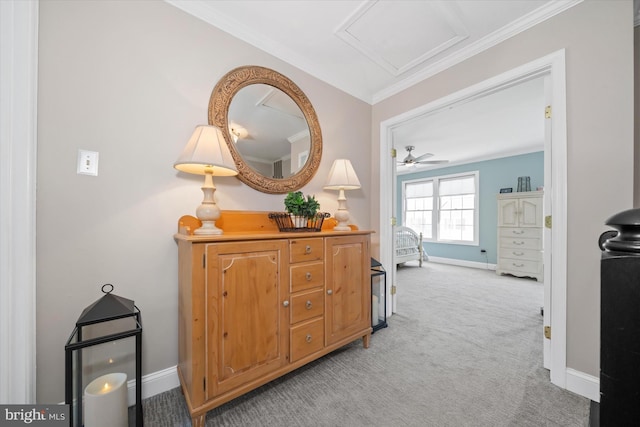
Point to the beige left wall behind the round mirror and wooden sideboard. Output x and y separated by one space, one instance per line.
131 80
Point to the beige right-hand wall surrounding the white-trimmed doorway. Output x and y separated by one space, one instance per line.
598 38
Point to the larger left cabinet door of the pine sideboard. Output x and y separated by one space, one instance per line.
247 318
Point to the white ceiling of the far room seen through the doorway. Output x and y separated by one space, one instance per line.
504 123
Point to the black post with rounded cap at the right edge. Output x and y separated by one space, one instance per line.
620 321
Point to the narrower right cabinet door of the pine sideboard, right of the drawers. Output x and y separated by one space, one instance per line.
347 287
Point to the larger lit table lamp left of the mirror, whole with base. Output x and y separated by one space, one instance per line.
207 154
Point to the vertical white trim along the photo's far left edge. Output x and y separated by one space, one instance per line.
18 153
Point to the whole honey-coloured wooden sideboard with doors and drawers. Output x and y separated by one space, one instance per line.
255 303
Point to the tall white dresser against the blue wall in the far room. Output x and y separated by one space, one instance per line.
520 234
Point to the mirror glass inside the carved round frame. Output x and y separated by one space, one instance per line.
269 131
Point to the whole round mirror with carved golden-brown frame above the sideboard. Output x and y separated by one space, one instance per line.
270 127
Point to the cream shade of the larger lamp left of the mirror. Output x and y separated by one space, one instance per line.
206 153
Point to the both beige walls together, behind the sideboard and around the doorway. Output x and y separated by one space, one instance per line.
132 79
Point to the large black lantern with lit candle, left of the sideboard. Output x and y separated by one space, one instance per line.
99 357
